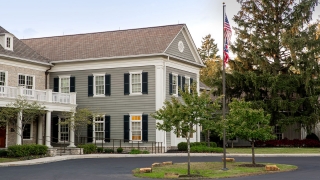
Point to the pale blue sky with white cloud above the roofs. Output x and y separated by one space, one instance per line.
41 18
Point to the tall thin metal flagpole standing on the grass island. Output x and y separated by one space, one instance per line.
224 94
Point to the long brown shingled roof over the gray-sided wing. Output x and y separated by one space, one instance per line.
132 42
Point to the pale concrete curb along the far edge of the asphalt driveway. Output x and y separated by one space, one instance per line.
70 157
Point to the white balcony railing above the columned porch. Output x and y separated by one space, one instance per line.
37 95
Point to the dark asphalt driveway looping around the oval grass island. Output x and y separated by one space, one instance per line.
120 168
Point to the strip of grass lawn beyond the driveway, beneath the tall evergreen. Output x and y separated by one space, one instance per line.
272 150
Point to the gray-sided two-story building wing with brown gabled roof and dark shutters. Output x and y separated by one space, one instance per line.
125 75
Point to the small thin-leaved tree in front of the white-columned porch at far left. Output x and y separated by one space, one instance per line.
21 110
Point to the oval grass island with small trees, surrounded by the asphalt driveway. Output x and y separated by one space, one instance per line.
211 170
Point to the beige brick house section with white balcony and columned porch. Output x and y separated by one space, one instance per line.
23 72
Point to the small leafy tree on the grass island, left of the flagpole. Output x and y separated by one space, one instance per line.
180 115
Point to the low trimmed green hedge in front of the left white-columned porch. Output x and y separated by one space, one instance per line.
27 150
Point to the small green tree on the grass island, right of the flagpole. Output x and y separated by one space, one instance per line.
248 123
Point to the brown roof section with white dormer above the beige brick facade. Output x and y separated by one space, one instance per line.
21 50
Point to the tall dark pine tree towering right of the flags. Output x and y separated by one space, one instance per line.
277 67
